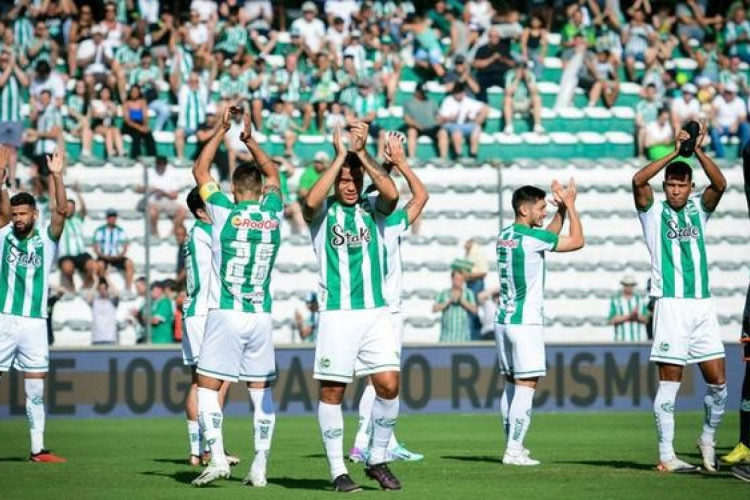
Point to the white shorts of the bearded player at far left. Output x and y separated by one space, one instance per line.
23 344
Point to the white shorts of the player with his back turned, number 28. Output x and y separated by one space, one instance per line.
238 346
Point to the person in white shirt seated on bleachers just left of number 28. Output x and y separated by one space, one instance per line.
163 190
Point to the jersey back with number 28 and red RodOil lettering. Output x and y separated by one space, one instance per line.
245 239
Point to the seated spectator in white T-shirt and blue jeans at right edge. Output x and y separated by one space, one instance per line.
729 119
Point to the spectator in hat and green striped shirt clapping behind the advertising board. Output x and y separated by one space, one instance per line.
455 304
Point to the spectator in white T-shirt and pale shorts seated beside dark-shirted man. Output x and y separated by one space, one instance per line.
462 117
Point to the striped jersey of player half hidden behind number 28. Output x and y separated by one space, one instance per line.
197 269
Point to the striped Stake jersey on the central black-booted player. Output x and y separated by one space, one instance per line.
350 249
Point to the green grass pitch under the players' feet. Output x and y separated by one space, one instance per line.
596 456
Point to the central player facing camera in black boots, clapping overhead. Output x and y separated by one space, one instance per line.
354 336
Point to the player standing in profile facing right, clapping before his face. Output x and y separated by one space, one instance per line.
519 330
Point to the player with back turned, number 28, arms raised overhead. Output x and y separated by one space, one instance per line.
238 342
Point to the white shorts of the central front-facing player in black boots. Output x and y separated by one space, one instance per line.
355 343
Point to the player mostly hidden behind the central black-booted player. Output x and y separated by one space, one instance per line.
396 225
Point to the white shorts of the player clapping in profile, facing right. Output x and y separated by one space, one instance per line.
520 350
